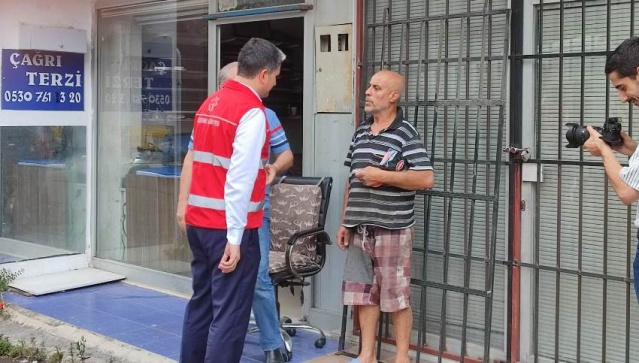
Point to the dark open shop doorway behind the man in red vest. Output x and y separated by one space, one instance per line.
287 96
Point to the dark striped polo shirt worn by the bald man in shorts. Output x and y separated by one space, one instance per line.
398 147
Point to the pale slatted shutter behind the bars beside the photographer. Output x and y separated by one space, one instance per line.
573 190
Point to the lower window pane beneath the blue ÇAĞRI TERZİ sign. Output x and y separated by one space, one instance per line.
43 191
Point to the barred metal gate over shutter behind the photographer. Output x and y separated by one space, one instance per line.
577 254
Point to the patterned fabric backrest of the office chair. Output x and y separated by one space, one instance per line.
298 204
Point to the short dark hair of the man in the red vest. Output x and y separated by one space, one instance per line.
258 54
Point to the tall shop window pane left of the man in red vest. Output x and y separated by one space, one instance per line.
150 94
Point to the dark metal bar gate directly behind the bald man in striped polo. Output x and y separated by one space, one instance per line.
453 55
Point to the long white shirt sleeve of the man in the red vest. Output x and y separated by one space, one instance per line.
240 179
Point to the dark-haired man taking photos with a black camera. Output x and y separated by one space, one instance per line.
622 66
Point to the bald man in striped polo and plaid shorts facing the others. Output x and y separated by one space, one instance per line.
388 163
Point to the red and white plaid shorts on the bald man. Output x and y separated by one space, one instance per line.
377 270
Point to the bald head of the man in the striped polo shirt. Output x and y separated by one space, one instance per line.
384 92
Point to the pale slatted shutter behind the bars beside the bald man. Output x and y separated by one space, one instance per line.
401 42
